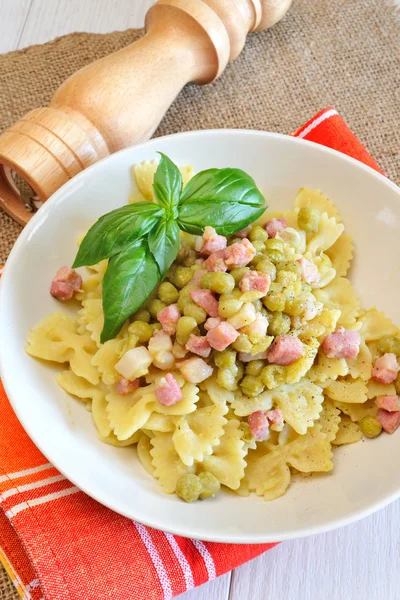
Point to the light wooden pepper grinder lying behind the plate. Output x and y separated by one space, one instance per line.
119 100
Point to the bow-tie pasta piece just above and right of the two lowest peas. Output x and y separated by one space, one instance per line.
227 460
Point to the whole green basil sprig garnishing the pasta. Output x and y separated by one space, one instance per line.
141 240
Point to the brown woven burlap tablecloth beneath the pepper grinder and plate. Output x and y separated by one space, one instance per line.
340 52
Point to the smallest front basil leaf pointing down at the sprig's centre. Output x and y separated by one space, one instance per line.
164 242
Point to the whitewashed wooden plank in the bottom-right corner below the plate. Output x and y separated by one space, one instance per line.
357 561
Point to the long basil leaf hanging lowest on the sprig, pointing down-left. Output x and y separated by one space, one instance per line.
130 278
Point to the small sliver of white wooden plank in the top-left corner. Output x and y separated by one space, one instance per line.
13 14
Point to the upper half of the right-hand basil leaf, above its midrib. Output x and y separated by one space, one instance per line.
222 185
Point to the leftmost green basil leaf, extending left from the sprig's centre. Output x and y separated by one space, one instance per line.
115 230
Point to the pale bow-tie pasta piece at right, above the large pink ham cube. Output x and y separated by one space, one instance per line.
340 295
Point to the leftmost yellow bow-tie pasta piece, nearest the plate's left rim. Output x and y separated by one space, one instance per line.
56 339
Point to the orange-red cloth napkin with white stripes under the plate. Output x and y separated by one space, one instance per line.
58 544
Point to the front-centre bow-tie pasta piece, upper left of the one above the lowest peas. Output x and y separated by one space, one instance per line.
197 433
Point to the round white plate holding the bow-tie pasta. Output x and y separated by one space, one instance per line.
366 475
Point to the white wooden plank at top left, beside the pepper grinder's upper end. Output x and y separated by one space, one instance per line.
48 20
